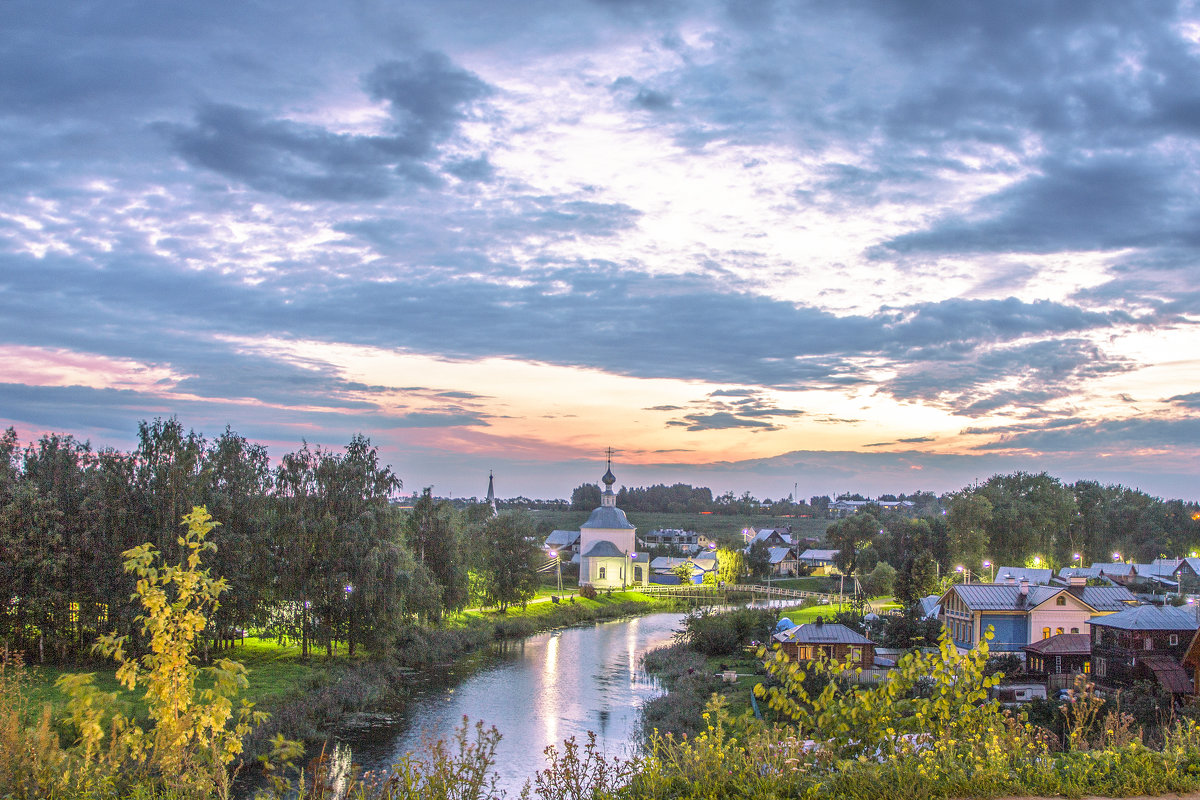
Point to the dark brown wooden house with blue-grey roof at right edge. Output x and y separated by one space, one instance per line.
1144 643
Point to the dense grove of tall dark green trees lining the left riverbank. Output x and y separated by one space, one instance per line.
313 549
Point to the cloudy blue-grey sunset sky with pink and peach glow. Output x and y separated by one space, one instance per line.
767 246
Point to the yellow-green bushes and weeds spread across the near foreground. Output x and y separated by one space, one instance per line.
929 731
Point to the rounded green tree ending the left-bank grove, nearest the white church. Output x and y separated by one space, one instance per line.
507 560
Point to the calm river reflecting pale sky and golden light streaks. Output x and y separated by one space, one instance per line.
537 693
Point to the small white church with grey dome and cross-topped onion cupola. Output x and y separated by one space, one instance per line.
609 557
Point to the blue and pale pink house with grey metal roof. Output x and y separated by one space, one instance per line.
1022 613
